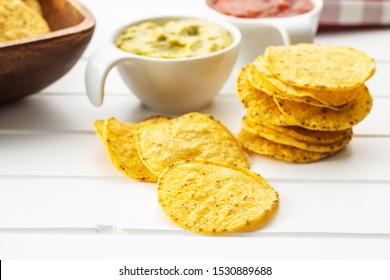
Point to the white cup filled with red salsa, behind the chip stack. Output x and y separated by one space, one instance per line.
267 22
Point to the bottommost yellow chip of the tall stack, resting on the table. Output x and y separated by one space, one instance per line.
262 146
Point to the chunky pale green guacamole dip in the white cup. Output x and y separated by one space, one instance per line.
174 39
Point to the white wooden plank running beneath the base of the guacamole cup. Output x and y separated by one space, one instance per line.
74 113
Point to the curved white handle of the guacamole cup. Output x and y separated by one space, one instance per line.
98 67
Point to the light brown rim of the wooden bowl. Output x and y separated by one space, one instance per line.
88 23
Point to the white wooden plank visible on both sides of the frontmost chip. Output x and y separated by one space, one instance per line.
310 207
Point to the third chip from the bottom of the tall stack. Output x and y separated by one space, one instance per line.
300 133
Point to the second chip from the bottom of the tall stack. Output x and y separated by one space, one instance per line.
277 137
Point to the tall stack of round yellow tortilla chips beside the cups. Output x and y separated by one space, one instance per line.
303 100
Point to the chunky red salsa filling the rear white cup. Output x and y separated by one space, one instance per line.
261 8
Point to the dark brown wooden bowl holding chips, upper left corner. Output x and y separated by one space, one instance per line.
31 64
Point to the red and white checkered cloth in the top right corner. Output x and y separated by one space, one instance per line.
355 13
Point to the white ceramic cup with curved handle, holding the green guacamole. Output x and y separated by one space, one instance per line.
164 85
